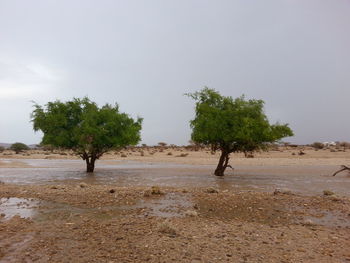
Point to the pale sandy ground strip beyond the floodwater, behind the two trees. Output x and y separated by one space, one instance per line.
283 156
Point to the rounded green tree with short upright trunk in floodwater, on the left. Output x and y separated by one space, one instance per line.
80 125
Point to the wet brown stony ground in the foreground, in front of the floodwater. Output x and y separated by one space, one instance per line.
107 223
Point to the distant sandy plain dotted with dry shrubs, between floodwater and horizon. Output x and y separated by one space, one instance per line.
288 154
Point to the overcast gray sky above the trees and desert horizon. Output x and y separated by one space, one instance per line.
294 54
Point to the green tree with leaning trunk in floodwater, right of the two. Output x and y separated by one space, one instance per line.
232 125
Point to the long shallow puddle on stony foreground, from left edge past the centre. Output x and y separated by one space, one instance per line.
169 205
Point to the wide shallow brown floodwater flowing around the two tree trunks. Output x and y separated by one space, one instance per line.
308 179
